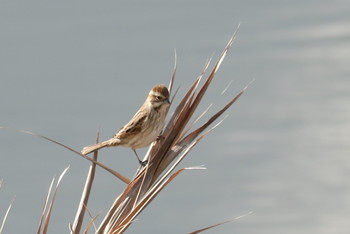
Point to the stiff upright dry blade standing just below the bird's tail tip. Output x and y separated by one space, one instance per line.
79 218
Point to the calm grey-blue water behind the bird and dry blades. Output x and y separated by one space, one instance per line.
67 68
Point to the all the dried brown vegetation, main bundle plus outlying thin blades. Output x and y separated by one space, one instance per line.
164 155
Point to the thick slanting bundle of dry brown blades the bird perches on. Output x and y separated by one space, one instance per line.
165 154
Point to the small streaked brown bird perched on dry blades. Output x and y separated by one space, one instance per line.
144 128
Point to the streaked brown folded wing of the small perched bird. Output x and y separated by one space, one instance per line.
133 127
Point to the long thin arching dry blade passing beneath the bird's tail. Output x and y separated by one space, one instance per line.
113 172
